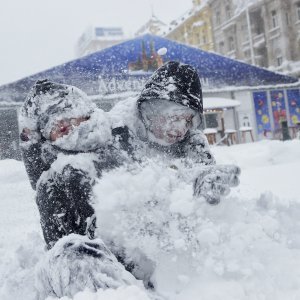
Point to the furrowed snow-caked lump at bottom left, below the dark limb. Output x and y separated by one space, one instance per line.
76 263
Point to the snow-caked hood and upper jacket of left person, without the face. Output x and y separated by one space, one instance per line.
49 102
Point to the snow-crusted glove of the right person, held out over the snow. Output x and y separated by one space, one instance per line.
215 181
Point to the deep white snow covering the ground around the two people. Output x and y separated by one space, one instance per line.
247 247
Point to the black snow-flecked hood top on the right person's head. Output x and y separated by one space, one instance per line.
175 82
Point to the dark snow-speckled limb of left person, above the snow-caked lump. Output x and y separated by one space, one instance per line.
64 202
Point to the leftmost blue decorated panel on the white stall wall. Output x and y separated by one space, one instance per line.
262 114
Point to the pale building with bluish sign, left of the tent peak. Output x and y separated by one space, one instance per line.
98 38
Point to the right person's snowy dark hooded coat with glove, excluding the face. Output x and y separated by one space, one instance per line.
178 83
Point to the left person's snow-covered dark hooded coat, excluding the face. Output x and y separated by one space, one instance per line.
63 171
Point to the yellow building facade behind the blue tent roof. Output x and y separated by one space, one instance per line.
193 28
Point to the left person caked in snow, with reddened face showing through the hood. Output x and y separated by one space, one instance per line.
66 143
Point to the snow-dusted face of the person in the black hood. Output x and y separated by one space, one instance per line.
171 128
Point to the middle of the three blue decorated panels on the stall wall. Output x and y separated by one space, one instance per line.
278 108
